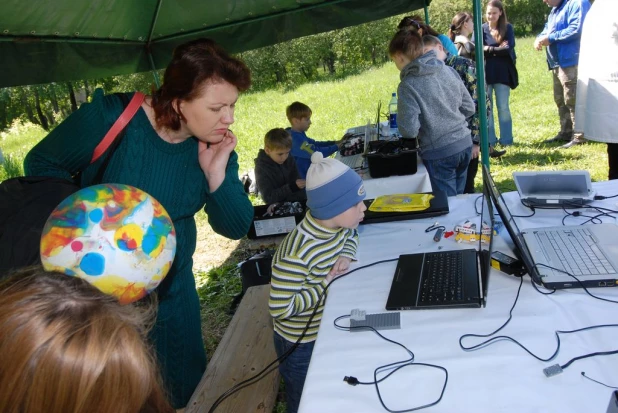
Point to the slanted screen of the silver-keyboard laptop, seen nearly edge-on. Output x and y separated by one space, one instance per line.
510 225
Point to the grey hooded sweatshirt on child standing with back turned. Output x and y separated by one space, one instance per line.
433 105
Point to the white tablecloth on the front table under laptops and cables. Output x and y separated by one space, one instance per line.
498 378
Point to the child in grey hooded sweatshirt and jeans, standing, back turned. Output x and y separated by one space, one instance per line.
434 106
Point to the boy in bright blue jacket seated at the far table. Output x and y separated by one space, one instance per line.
303 146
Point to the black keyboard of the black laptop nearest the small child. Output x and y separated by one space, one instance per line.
442 278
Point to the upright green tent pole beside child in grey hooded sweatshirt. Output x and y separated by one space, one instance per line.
480 79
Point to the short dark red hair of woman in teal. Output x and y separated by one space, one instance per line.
193 65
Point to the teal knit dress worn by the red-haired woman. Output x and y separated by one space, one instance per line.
171 174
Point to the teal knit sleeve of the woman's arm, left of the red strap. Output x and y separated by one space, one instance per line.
68 148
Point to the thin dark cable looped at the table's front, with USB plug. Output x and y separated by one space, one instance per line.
393 367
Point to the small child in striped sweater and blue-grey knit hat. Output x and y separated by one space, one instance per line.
317 251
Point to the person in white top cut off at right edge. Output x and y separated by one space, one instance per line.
597 83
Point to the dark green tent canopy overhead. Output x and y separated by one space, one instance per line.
59 40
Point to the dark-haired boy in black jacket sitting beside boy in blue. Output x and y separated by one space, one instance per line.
276 174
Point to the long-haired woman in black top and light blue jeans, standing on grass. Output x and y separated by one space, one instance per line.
500 70
